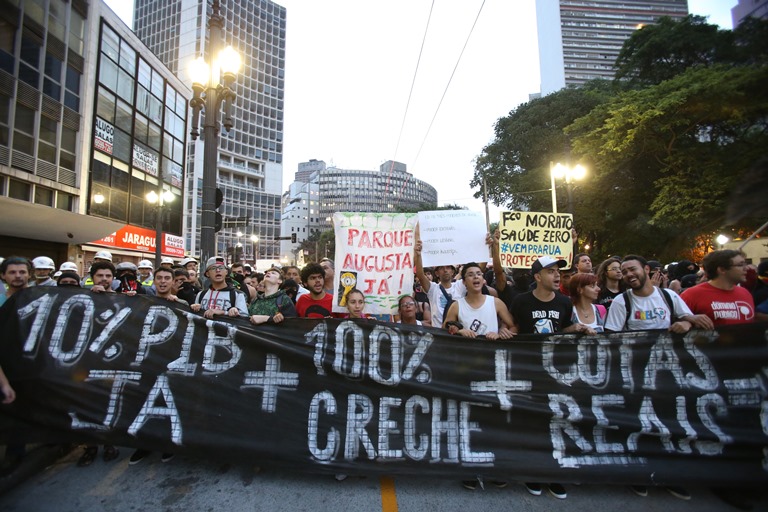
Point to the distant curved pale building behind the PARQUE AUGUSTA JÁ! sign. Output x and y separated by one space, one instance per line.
392 188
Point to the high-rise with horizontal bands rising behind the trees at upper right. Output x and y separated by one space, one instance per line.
579 40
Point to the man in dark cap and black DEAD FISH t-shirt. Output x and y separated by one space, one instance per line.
544 310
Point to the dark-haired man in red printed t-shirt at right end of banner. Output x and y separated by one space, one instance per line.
721 298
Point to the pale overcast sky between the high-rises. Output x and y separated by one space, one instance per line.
349 69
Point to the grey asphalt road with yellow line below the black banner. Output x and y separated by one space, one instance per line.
186 485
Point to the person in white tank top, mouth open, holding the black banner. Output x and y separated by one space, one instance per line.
476 313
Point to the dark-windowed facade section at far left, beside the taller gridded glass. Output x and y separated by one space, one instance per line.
42 46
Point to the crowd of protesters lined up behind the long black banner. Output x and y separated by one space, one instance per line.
623 293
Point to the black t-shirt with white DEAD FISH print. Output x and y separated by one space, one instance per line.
533 316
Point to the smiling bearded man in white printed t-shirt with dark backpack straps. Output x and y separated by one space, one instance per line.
649 307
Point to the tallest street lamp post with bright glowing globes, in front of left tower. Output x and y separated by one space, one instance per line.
212 85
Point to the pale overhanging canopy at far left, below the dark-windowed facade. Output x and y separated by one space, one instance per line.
26 220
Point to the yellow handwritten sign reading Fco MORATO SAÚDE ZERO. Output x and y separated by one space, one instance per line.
527 236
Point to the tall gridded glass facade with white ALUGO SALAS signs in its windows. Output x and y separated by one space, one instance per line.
139 137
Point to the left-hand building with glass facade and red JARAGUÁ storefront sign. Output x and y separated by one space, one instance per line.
90 122
